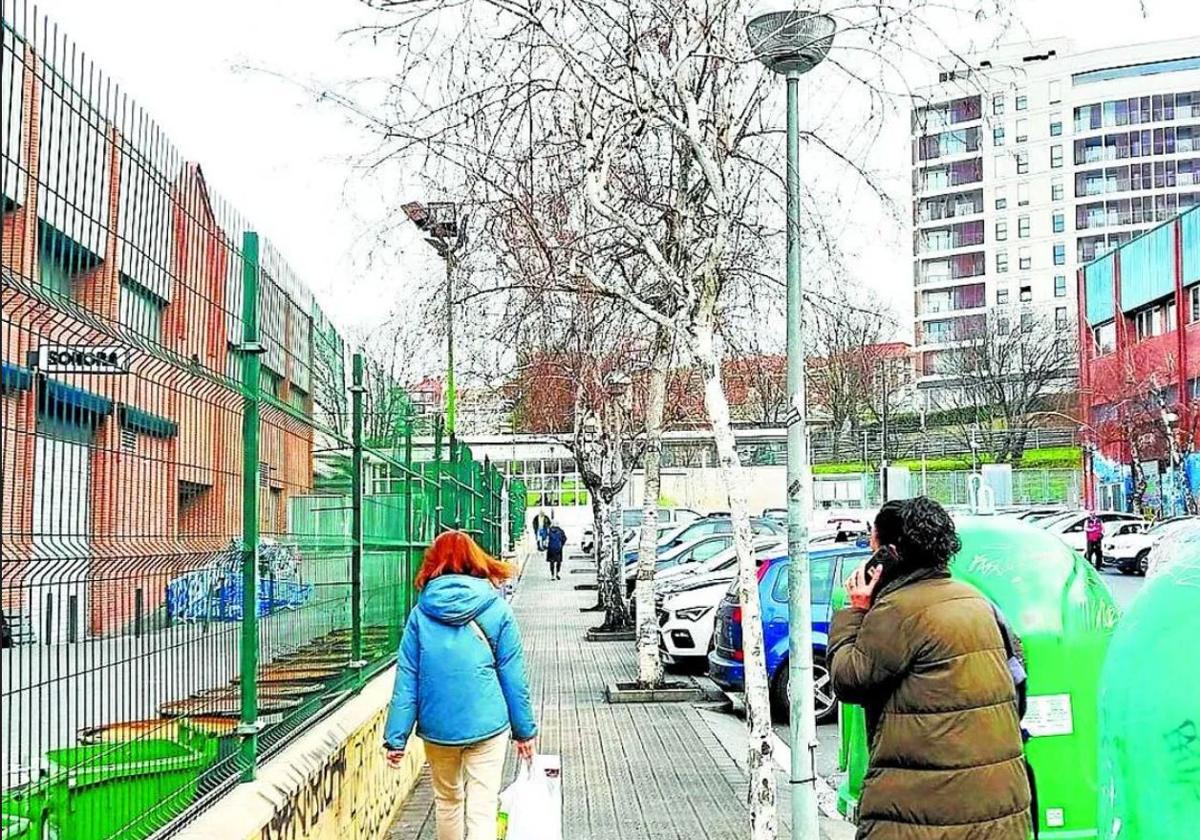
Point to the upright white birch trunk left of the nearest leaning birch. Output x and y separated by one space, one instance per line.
650 662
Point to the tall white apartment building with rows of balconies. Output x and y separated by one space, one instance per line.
1030 163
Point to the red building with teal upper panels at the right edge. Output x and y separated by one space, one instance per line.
1141 369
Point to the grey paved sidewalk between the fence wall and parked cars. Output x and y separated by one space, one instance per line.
653 772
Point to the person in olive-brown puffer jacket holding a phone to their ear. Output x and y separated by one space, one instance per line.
923 655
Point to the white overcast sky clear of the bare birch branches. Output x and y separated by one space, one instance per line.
287 165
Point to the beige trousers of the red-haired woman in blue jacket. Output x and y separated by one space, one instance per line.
467 788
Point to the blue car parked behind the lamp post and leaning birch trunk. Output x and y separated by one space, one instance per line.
829 568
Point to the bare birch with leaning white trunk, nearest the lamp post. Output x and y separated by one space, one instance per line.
623 151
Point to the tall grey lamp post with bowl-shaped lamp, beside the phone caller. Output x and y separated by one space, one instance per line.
791 43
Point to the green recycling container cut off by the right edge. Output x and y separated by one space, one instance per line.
1150 712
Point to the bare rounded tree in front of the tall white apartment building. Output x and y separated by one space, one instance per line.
1005 367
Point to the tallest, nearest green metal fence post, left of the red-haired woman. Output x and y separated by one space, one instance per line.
251 351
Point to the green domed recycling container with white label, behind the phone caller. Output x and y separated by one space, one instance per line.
1065 616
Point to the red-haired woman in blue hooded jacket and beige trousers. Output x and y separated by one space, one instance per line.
461 680
